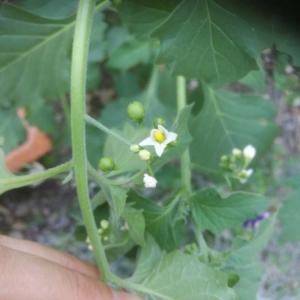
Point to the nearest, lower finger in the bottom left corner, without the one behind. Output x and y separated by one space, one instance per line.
28 277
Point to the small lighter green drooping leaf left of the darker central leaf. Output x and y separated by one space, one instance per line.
136 224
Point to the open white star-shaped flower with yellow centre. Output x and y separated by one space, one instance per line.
159 138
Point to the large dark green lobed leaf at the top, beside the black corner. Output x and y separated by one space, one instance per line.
212 40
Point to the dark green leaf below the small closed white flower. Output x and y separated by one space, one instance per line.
159 220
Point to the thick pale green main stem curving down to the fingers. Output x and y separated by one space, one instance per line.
78 110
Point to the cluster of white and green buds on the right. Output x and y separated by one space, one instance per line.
235 165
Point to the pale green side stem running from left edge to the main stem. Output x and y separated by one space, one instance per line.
19 181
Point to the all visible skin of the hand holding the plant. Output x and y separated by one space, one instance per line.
30 271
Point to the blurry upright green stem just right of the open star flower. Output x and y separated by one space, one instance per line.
185 159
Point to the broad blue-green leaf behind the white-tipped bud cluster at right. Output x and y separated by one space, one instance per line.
230 120
